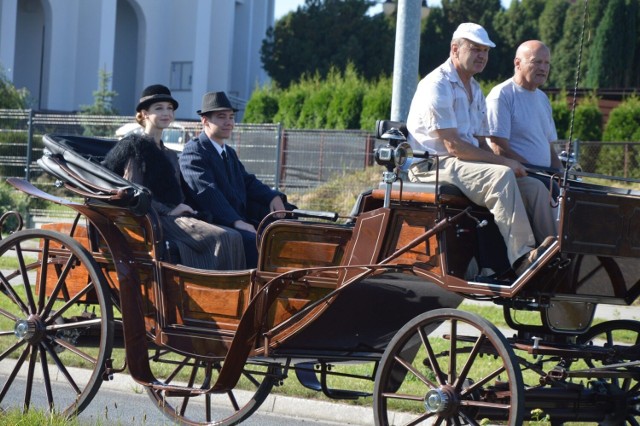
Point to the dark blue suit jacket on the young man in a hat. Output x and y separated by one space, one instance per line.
240 196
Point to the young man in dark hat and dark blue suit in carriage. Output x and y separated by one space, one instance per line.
218 182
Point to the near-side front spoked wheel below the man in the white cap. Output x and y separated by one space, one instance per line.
448 367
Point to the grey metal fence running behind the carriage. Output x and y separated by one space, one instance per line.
294 161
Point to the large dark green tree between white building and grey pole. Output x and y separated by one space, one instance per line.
328 33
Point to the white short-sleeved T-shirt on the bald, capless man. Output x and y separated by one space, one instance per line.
525 118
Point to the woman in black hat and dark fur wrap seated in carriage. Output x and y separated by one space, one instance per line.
143 159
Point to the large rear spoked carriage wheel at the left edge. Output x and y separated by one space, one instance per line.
56 323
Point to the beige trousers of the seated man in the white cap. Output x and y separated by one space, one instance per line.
520 206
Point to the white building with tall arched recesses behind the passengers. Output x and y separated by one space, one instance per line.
222 38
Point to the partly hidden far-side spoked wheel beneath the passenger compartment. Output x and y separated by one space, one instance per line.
228 408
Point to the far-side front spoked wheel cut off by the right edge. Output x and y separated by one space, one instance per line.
622 338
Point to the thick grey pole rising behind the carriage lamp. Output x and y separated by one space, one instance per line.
406 57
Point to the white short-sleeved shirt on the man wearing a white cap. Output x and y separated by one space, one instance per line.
441 102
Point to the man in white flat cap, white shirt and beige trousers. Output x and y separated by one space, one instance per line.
448 118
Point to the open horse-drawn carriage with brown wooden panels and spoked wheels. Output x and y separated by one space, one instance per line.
381 287
